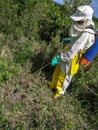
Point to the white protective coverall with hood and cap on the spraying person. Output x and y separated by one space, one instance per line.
84 37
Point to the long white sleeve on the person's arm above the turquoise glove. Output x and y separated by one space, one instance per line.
78 45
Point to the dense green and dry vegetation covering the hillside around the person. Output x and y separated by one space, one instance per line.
31 33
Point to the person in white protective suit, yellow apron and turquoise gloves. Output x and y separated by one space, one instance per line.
83 34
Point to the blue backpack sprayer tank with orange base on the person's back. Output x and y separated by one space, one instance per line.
90 53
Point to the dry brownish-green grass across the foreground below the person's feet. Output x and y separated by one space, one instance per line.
27 104
